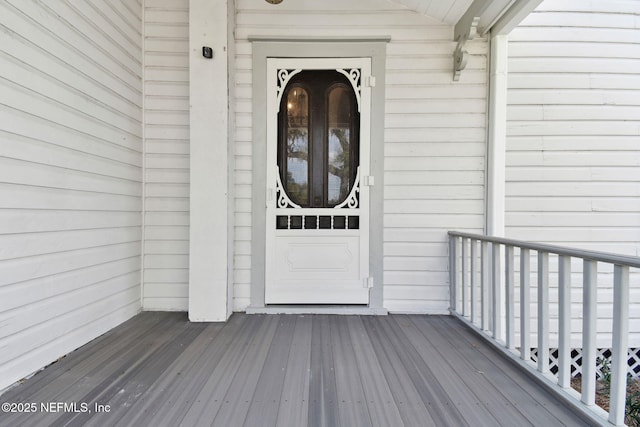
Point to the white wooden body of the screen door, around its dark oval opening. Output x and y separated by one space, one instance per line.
284 281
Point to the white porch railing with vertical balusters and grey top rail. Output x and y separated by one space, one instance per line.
483 295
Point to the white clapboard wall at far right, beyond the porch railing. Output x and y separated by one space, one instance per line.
573 148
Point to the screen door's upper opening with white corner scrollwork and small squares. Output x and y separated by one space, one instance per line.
318 172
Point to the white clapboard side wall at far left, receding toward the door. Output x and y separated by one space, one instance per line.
70 176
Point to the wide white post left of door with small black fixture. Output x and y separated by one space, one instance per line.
209 130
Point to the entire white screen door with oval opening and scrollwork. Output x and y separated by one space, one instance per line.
317 213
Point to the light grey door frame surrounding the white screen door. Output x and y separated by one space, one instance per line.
263 48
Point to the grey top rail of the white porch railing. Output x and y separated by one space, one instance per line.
631 261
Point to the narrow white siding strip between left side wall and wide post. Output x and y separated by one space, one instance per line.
166 155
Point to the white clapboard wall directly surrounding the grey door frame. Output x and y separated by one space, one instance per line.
434 138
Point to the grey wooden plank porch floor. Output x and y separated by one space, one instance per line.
158 369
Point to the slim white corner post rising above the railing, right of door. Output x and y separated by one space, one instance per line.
497 136
